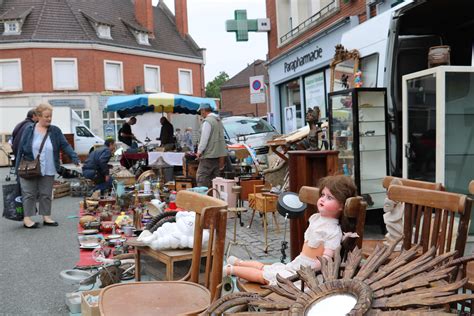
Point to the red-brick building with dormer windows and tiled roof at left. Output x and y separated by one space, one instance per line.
77 53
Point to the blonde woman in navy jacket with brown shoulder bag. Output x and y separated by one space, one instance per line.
40 189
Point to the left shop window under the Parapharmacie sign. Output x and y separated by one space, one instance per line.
292 118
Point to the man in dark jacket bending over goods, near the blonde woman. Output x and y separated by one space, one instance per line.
96 166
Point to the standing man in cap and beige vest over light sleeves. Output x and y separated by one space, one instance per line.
212 149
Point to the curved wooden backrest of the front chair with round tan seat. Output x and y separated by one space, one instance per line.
211 214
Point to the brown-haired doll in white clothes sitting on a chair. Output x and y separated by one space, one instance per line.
322 237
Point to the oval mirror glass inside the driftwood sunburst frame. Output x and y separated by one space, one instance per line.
335 305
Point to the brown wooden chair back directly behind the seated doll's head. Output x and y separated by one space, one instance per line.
354 208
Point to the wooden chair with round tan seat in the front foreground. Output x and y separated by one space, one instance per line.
186 295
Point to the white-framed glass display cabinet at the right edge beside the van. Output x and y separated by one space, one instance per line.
438 126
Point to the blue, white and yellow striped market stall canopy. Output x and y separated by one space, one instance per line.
130 105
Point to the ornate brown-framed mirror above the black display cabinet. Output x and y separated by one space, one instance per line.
343 67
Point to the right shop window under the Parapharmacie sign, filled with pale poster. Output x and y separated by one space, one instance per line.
315 92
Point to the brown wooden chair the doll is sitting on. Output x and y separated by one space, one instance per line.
355 208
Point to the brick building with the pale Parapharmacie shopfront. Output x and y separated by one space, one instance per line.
301 46
